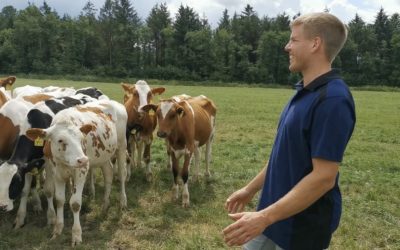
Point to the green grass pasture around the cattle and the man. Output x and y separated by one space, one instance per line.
246 126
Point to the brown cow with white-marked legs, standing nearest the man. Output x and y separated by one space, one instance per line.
187 125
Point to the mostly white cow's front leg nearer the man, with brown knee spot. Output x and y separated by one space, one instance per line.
76 203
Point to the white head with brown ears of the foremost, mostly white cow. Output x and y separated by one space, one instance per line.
67 142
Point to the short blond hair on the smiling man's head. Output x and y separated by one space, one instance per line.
328 27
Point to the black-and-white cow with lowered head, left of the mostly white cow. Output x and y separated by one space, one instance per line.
26 151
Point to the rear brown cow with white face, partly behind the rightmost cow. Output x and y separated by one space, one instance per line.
141 125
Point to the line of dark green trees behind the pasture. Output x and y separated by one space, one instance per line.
243 47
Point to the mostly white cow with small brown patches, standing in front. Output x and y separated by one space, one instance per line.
83 137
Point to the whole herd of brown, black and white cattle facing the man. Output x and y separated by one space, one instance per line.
58 135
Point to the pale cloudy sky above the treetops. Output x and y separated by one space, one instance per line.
212 9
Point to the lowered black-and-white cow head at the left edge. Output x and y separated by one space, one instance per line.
13 179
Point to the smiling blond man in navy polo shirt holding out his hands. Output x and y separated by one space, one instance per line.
300 202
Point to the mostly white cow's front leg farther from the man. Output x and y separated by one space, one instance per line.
59 185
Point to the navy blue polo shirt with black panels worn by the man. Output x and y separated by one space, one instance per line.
316 123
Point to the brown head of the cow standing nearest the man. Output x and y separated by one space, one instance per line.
168 114
